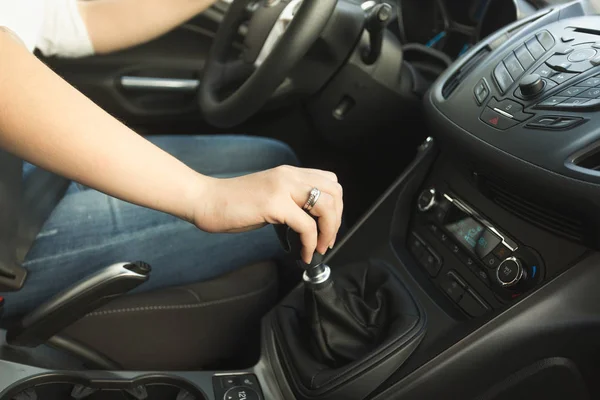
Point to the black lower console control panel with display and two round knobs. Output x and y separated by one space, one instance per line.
480 249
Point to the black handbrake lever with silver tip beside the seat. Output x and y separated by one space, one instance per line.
75 302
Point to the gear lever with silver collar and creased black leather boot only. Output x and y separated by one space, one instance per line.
346 315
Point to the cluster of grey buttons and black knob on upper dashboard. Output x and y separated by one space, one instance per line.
563 61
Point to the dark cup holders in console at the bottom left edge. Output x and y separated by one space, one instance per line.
62 387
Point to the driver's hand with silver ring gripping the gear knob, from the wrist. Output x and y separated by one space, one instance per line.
275 196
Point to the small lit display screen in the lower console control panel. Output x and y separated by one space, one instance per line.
472 234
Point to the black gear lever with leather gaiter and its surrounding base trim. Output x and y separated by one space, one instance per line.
333 331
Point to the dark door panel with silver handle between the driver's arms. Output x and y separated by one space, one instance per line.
154 85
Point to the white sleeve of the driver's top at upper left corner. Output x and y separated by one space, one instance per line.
55 27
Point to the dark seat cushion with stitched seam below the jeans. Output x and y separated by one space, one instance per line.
185 327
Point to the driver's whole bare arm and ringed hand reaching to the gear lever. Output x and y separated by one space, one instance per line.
48 123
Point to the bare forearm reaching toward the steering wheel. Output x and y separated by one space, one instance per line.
119 24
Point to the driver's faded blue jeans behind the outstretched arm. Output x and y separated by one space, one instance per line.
89 230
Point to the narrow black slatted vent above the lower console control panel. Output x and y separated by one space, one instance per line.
548 218
